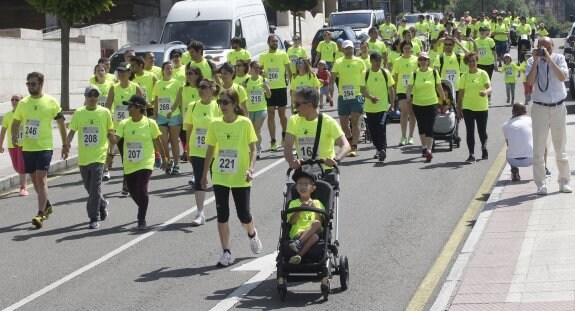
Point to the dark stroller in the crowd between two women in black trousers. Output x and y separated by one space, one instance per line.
446 127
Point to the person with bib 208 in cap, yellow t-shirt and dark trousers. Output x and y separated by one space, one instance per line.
94 126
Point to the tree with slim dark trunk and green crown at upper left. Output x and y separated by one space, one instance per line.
69 12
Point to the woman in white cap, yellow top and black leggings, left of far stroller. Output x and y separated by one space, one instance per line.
425 84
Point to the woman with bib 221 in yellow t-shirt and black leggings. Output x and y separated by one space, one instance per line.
231 144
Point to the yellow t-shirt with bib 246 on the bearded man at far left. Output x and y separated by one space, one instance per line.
36 115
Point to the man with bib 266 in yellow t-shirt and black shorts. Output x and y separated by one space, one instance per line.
275 64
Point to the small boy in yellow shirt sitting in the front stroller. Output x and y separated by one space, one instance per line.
305 225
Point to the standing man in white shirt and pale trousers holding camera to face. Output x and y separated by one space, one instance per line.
546 72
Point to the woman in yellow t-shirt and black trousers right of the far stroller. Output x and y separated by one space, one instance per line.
473 104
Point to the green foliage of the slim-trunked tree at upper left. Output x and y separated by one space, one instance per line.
74 11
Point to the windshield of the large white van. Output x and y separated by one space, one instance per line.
215 35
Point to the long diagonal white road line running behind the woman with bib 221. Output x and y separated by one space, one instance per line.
120 249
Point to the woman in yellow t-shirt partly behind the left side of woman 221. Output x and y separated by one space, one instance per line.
200 114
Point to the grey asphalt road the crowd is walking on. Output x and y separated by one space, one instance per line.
395 219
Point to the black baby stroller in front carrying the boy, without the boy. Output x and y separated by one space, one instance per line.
322 261
